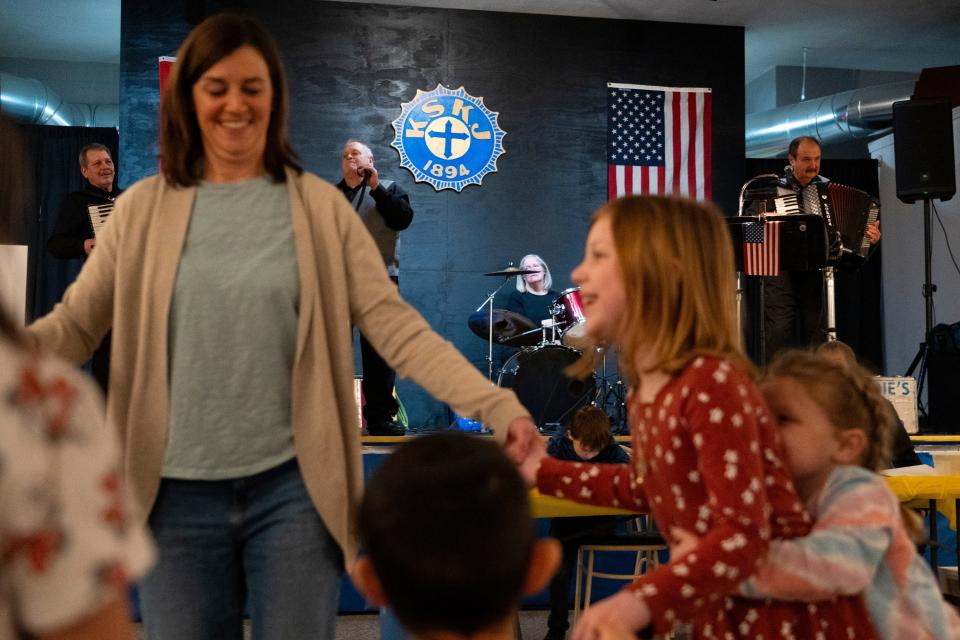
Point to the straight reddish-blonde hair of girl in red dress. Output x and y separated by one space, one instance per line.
676 261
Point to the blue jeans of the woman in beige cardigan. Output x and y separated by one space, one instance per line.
222 543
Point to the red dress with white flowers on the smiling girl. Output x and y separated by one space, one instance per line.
707 458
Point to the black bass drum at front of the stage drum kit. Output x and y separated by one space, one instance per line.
536 375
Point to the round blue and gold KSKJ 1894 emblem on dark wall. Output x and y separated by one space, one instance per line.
447 138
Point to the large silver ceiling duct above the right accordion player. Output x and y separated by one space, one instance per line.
851 115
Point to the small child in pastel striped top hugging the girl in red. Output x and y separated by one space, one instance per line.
836 431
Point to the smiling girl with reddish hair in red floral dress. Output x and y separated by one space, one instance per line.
658 279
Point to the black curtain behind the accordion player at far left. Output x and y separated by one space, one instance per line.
52 159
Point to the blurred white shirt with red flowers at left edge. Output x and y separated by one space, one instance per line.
65 539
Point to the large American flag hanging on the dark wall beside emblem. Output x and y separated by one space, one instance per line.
658 141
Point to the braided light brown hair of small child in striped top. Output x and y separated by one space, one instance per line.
848 395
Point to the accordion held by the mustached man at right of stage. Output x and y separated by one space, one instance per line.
846 210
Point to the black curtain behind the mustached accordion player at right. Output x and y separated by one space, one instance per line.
859 296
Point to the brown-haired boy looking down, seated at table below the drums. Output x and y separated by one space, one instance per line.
588 439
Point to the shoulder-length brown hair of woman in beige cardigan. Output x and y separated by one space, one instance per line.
181 145
